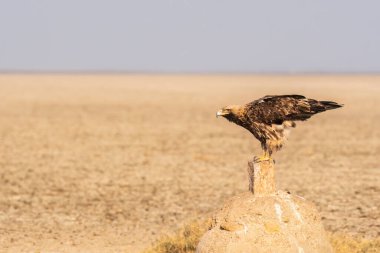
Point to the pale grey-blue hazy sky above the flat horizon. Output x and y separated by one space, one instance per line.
190 35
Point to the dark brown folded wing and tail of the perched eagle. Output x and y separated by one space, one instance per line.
277 109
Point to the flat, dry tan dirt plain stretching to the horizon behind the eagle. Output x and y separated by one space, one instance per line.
107 163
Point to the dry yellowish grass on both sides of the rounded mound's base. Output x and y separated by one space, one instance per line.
186 239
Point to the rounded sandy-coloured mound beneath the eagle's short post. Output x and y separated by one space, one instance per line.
280 222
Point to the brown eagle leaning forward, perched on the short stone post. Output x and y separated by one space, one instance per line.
270 118
